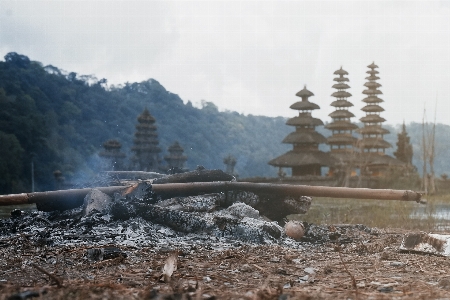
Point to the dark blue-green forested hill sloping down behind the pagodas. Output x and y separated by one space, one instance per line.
60 120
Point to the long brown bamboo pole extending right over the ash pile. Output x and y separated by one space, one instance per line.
197 188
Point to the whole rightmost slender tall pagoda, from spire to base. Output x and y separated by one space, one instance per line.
372 145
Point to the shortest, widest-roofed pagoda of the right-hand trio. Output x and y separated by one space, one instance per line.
305 158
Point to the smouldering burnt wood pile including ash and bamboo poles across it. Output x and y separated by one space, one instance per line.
202 202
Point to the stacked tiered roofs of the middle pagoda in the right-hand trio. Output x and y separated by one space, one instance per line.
341 141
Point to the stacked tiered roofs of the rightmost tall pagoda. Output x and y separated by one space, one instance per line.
372 133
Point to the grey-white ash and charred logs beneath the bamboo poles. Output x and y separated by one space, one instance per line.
173 223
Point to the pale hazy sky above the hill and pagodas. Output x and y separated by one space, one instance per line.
247 56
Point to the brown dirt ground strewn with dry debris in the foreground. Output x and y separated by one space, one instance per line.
369 266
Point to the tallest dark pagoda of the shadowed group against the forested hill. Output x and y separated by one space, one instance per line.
146 144
